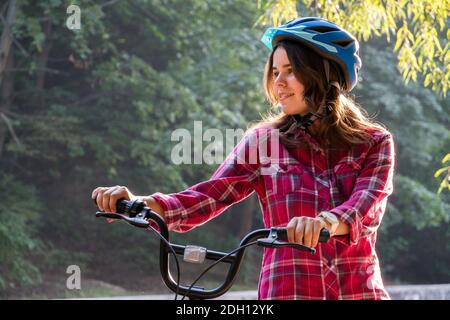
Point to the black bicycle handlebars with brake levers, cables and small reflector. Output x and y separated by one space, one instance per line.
137 214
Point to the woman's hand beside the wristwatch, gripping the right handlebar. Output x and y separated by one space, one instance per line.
306 230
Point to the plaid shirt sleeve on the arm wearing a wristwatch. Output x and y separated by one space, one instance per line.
364 210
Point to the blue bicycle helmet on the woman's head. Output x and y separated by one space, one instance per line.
326 39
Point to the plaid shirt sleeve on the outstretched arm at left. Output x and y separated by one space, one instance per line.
231 182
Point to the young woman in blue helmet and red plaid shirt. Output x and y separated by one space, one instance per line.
332 168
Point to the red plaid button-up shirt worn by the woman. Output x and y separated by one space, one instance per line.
353 184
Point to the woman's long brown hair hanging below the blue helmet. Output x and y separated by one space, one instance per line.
347 123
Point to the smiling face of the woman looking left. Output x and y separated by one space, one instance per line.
287 88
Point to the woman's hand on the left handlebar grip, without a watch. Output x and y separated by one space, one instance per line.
106 197
